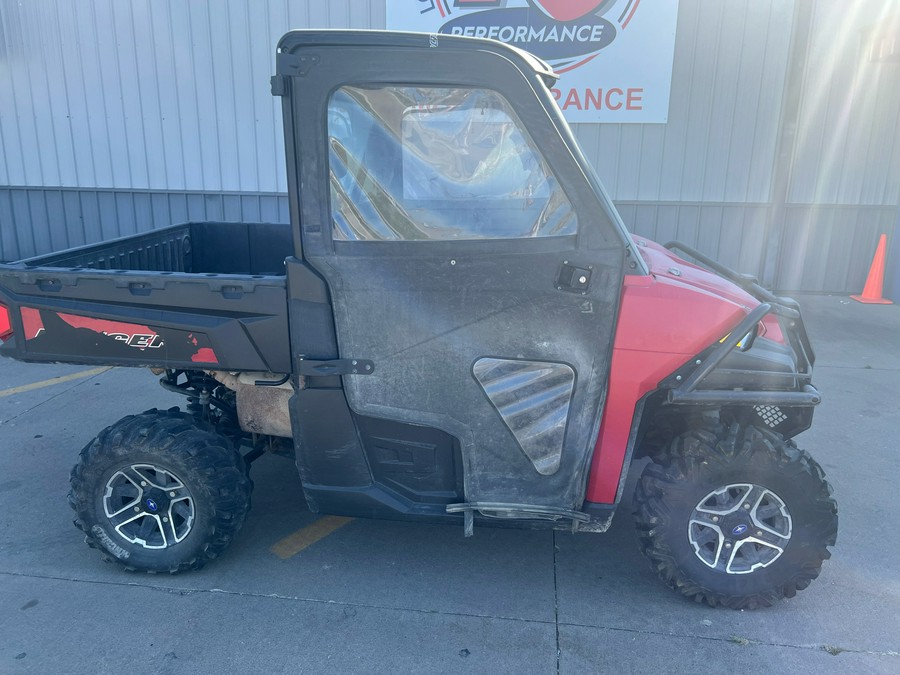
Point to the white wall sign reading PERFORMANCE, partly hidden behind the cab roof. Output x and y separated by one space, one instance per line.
614 57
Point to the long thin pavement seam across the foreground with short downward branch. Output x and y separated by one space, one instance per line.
731 639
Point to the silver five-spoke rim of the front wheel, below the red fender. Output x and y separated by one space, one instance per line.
740 528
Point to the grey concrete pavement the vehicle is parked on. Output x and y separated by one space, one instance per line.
377 596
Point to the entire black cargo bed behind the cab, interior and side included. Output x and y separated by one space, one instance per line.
196 295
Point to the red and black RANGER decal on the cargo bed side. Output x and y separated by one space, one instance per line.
59 333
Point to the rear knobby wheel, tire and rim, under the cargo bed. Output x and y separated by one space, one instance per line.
157 493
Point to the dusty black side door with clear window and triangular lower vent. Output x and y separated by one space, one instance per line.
467 255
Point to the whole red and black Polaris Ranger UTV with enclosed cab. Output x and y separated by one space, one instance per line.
455 326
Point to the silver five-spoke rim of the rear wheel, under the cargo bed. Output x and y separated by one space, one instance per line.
148 506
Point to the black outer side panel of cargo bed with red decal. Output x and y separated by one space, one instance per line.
157 319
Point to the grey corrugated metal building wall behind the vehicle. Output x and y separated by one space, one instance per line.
117 117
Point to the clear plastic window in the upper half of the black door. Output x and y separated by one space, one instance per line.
437 163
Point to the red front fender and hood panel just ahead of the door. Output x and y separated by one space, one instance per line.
665 319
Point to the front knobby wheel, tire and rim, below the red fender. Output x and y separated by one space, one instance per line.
735 517
